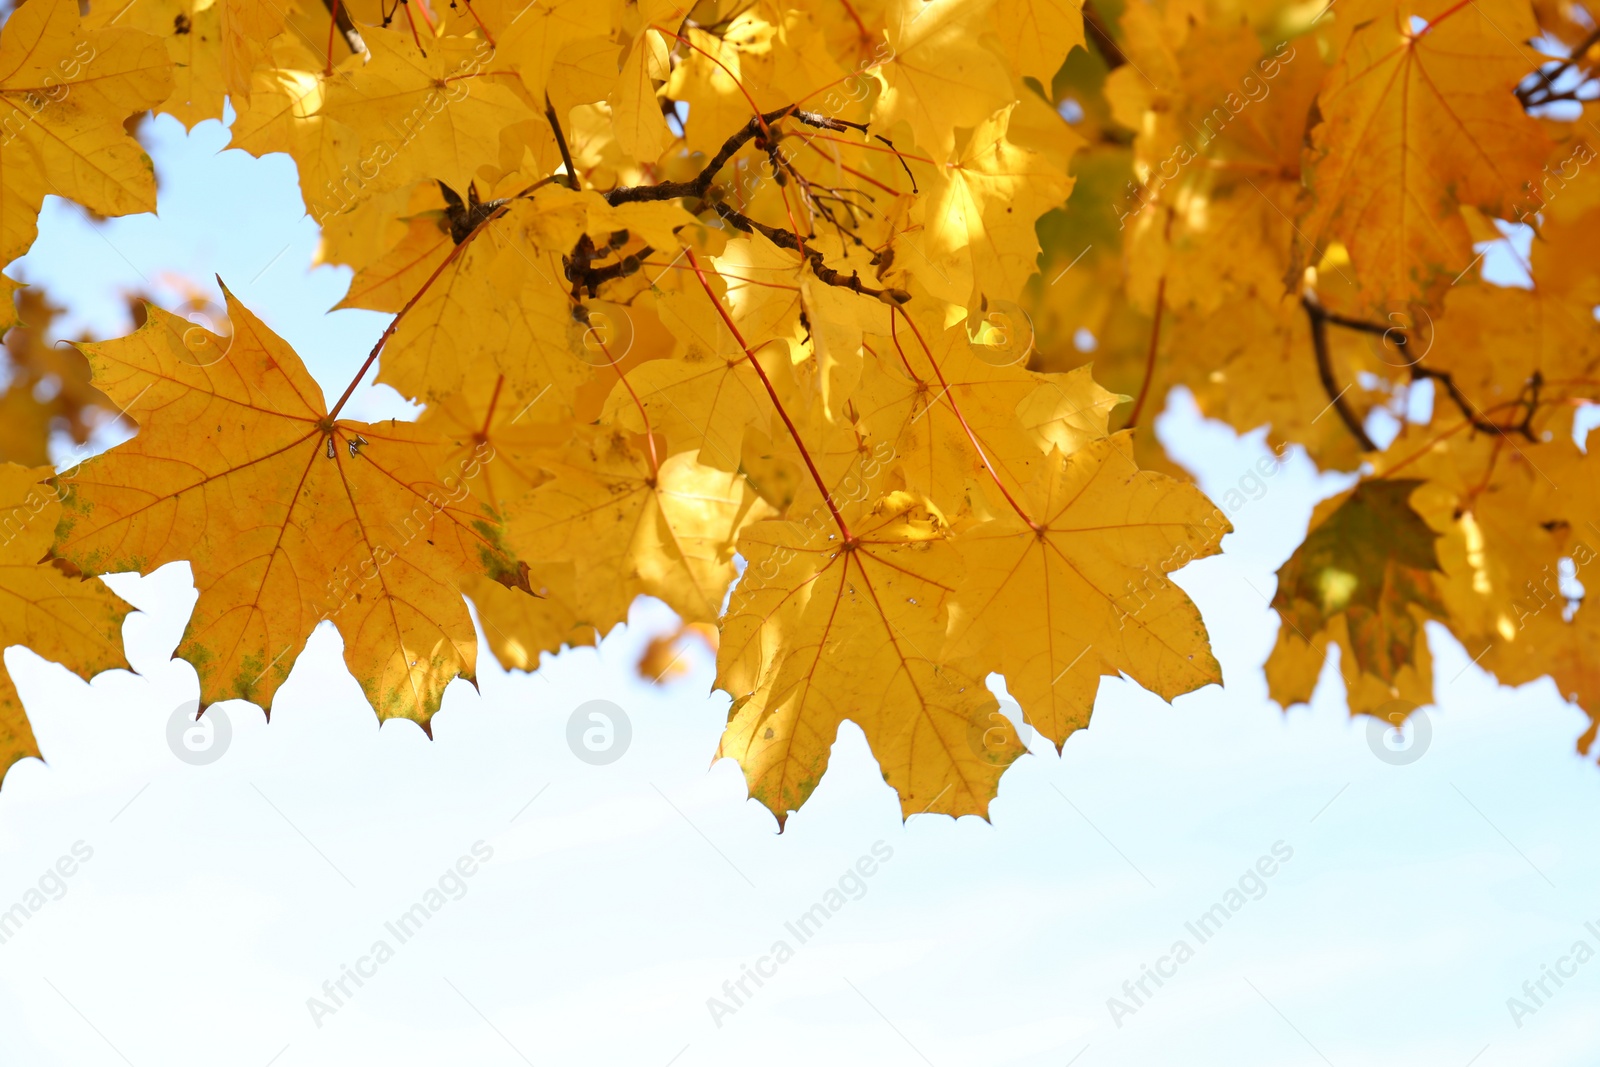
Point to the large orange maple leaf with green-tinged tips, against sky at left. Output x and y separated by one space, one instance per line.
287 516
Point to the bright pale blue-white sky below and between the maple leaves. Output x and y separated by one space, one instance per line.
207 906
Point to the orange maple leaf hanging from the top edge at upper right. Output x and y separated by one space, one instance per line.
1418 122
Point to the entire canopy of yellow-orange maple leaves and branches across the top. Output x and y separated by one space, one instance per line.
778 314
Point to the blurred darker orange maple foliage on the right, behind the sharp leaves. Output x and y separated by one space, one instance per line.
1289 217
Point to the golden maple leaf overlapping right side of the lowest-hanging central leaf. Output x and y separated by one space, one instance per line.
1084 591
